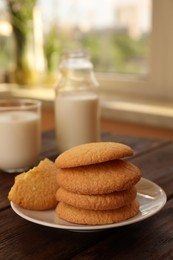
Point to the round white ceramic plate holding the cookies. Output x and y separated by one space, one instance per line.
151 198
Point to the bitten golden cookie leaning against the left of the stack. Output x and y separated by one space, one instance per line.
36 188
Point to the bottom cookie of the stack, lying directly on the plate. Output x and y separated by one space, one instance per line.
96 217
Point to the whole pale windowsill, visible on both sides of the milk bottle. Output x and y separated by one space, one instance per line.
148 112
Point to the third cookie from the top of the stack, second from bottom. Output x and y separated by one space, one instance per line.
97 202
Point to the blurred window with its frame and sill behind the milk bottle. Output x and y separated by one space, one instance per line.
130 44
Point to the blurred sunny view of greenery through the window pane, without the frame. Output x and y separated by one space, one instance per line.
117 34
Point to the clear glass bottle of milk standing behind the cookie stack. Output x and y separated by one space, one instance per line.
77 101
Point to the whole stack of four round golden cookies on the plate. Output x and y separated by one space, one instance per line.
96 186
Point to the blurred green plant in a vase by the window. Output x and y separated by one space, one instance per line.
22 21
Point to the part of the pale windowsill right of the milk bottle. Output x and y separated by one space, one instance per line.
151 114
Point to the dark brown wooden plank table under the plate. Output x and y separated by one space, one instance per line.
148 239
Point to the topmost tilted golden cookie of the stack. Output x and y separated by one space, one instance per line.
92 153
